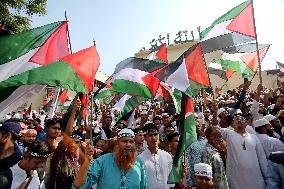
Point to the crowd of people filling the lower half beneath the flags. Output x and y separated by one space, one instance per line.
240 145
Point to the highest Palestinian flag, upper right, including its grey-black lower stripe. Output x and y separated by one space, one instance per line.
234 27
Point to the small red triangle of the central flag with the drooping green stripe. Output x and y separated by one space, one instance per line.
152 82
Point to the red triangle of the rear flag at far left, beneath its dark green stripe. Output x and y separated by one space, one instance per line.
54 48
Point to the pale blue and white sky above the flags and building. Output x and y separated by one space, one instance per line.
122 27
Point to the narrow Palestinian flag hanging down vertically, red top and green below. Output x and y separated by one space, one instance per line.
187 137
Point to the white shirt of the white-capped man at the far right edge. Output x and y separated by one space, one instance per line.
270 144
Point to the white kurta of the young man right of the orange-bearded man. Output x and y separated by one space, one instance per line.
158 168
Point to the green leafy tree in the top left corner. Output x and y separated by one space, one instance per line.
16 14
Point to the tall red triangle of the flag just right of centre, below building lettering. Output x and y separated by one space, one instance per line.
196 68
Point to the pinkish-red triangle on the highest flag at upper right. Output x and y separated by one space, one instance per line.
243 23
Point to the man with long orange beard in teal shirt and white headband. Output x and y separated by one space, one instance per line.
120 169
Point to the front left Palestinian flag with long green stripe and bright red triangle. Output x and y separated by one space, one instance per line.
75 72
